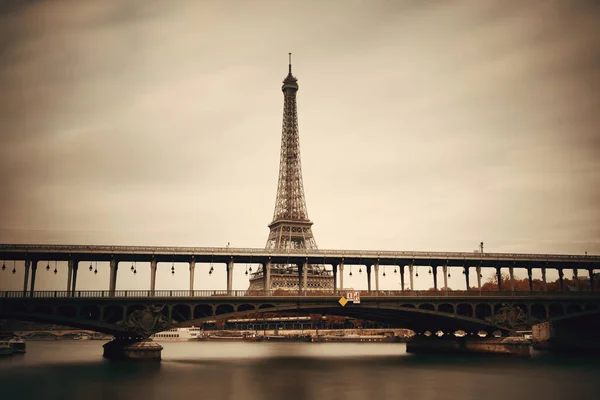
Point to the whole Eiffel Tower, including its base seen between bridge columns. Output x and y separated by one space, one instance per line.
291 227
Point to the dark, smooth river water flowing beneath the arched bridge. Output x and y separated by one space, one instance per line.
266 371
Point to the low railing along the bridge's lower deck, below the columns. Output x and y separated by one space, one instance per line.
280 293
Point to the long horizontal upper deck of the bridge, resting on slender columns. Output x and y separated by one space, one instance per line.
259 255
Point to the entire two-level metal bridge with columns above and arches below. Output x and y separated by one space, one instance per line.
138 314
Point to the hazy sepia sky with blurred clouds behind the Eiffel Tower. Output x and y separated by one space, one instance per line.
423 126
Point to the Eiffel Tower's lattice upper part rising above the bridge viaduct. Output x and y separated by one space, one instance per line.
291 228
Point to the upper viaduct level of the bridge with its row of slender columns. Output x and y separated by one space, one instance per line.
408 262
